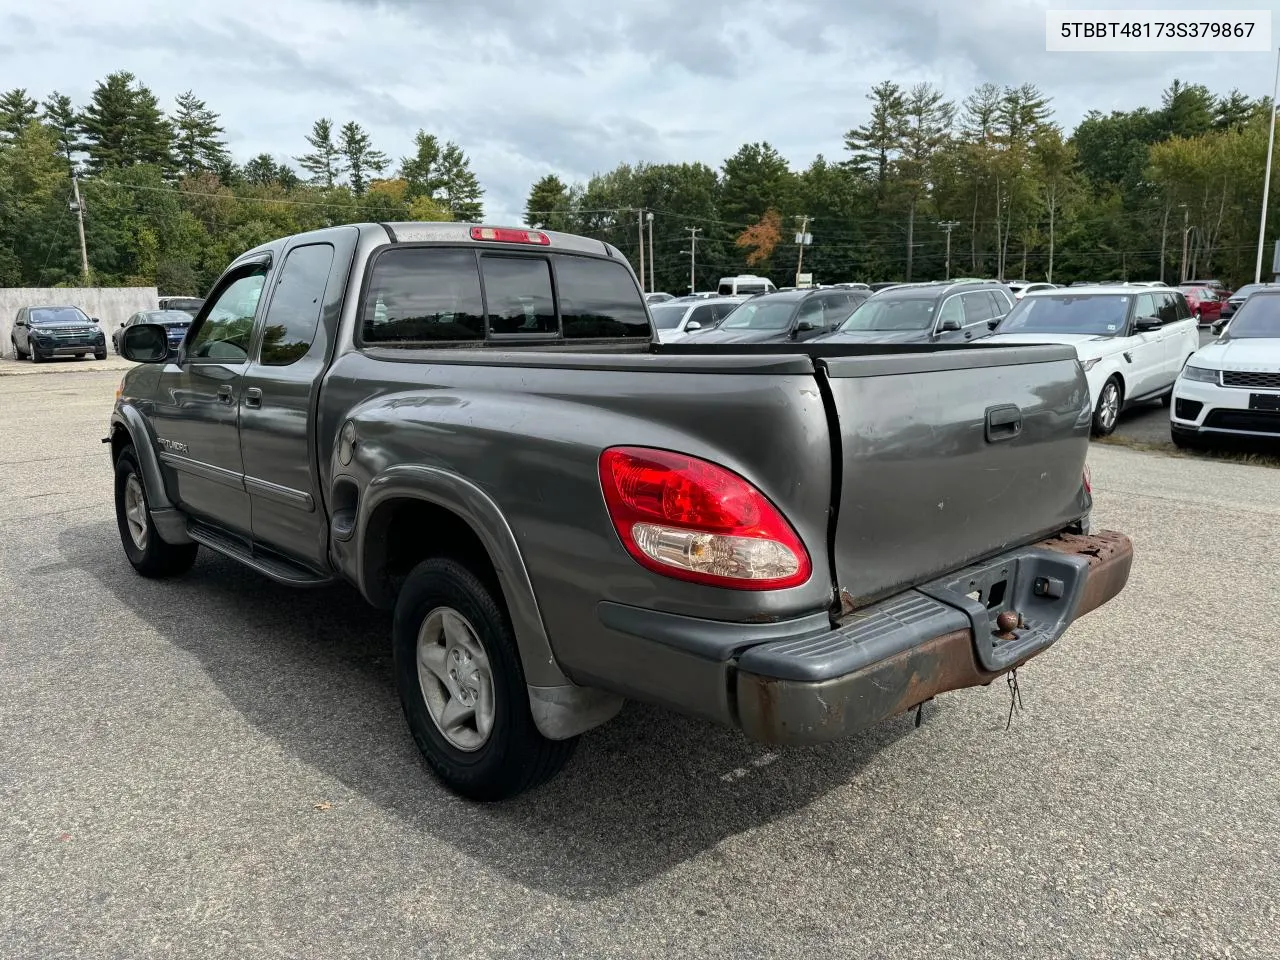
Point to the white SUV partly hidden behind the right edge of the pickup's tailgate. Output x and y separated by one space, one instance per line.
1132 341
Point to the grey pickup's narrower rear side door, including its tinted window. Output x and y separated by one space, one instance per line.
277 427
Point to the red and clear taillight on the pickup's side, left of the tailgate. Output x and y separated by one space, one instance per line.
693 520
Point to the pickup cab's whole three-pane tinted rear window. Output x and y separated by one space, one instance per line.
429 295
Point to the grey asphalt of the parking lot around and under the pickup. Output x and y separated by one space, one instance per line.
217 767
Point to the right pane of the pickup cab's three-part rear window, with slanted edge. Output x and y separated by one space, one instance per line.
600 299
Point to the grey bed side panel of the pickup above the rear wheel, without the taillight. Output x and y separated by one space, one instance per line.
531 437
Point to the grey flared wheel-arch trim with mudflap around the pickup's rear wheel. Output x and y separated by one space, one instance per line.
561 708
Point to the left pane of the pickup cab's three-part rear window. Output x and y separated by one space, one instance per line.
423 295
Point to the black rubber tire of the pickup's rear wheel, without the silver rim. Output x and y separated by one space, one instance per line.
515 757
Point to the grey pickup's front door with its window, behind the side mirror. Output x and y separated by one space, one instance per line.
198 405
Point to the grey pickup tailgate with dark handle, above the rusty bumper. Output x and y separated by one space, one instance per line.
950 458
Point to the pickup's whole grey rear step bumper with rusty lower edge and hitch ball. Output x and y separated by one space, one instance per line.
820 684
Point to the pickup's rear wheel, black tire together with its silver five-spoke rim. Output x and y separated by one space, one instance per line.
463 687
